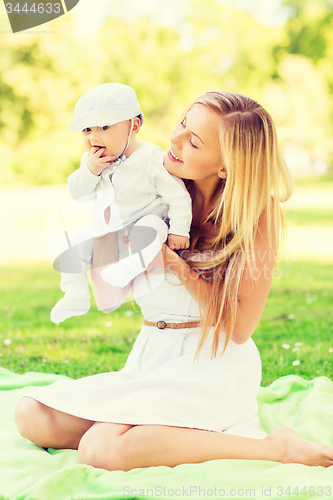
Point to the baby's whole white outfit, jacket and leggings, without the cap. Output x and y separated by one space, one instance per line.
139 191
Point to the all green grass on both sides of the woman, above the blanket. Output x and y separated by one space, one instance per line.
299 310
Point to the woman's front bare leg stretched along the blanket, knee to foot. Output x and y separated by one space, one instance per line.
144 446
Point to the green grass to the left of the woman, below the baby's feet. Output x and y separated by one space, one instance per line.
78 347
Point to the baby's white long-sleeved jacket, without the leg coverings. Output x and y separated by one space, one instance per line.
140 184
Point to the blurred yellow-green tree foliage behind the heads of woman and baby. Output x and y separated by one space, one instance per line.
215 45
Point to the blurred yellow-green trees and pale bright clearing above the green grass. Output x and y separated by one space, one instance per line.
280 52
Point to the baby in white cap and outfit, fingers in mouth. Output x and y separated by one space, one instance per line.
134 194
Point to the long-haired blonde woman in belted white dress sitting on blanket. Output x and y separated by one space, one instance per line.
187 393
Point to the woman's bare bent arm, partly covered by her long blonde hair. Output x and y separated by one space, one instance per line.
254 288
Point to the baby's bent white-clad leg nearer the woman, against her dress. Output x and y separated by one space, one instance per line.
145 241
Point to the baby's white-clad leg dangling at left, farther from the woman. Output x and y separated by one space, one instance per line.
73 264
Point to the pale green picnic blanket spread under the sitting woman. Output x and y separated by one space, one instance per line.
28 472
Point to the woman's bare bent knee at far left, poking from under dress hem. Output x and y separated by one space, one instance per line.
47 427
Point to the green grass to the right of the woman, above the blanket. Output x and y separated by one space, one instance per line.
299 310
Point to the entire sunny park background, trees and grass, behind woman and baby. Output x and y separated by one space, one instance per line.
279 53
